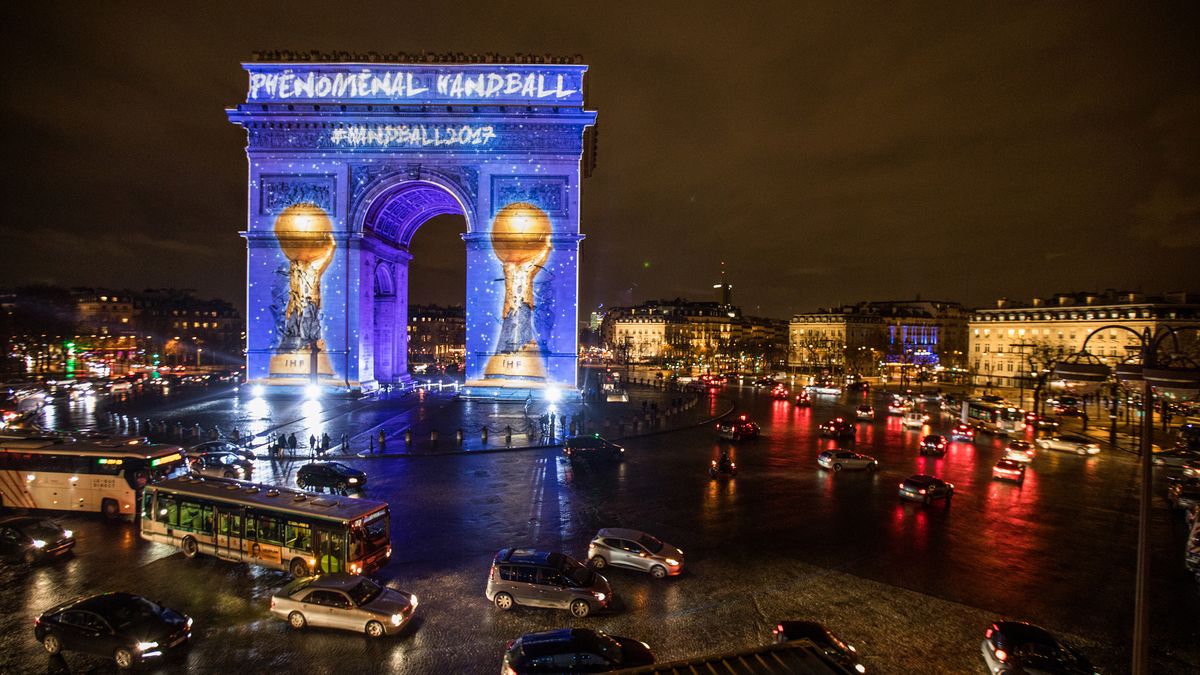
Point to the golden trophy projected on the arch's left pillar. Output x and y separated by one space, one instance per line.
305 235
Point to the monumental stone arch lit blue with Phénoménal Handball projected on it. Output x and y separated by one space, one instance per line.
347 160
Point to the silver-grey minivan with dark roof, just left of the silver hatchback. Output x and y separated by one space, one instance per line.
535 578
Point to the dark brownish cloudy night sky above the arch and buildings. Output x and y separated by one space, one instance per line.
827 156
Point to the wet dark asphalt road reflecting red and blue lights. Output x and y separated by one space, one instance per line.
911 587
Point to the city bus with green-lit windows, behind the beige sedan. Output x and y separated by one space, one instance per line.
280 528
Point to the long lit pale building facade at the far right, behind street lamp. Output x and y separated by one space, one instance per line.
1016 342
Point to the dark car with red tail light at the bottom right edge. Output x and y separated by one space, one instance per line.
1017 647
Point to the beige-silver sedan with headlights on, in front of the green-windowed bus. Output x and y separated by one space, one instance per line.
347 602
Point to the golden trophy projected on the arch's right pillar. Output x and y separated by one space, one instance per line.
521 241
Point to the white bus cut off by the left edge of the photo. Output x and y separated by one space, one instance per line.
101 475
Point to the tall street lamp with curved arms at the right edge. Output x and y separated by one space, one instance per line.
1085 368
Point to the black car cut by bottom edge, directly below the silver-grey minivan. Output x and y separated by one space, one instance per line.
574 650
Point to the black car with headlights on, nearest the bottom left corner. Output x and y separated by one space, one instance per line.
125 628
